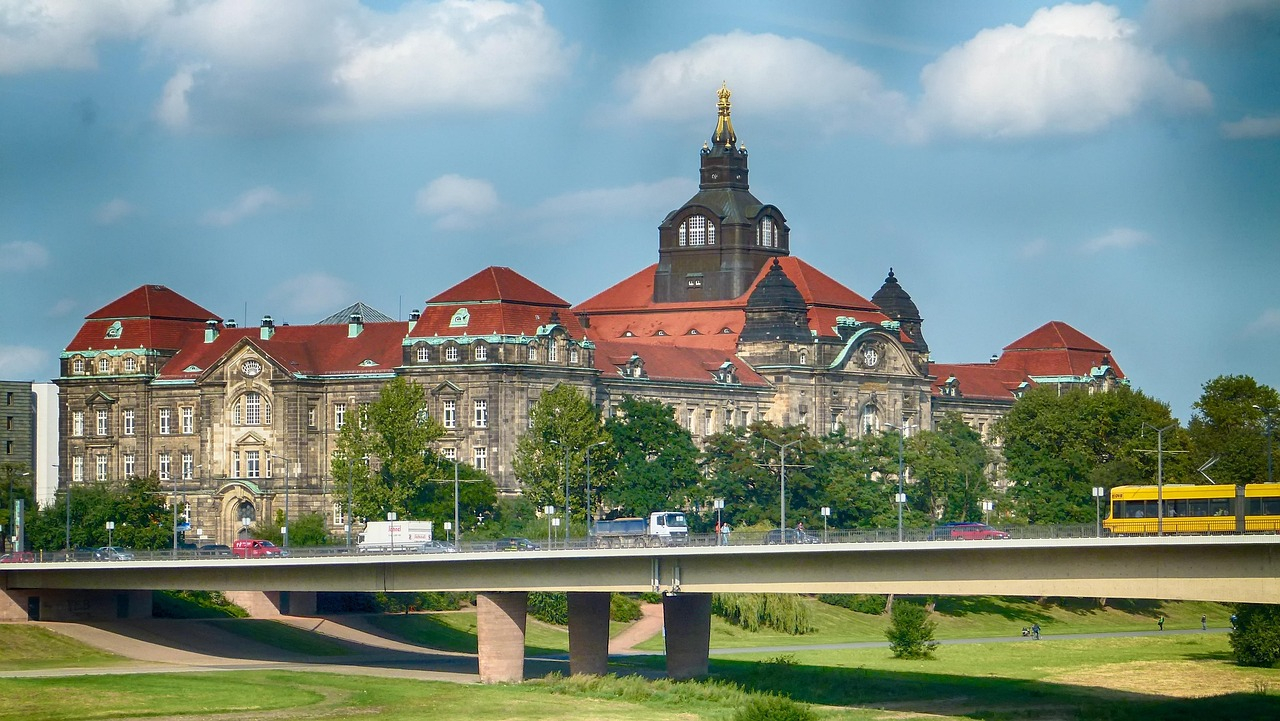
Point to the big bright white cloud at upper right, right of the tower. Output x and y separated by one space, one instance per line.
1071 70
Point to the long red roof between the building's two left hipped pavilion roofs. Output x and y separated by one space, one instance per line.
309 350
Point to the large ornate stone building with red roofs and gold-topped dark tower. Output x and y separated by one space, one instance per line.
728 328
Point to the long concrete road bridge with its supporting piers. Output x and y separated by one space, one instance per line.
1222 568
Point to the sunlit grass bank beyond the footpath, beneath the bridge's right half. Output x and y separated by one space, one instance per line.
977 618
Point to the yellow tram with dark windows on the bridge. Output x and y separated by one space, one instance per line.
1195 509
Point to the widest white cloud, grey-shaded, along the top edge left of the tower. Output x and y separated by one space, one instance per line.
292 61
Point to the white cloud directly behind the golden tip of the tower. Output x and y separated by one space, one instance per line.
790 79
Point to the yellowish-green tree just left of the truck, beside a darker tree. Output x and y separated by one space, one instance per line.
554 454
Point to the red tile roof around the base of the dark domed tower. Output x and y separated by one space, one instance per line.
629 307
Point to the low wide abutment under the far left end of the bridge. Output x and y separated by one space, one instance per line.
74 605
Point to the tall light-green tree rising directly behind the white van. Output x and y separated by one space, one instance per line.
383 450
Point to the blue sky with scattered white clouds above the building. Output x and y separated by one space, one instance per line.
1112 166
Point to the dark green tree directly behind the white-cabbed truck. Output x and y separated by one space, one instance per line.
656 467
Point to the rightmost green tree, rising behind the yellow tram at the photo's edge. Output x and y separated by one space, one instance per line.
1231 425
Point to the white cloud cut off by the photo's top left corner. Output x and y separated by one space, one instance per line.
40 35
